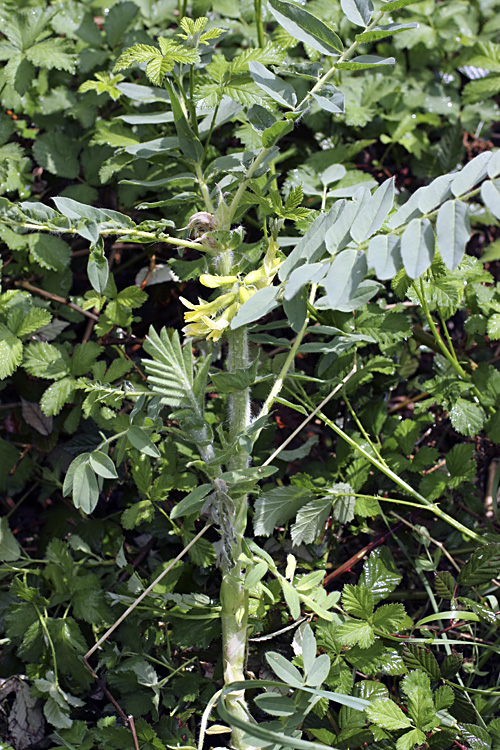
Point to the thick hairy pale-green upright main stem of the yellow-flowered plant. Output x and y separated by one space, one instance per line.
234 597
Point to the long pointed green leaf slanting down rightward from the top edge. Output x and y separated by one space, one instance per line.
305 27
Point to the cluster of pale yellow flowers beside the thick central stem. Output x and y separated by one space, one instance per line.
210 319
